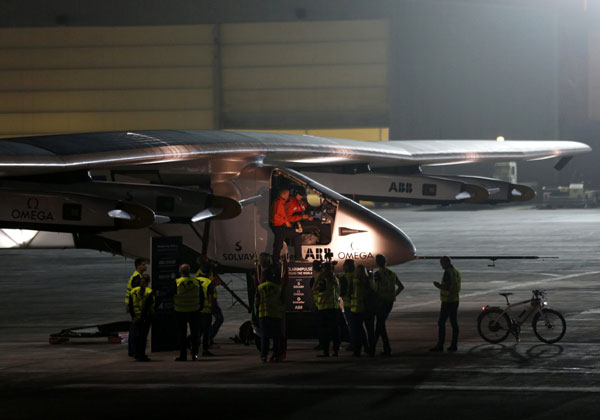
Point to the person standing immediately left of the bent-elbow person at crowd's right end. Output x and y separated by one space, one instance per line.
362 309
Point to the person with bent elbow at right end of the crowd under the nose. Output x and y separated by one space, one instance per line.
387 287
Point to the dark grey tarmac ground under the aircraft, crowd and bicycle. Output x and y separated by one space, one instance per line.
43 292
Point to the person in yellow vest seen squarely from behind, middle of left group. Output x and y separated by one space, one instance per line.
189 301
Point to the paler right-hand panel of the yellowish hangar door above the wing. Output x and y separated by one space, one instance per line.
328 74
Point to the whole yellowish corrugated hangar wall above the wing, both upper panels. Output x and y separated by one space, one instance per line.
293 75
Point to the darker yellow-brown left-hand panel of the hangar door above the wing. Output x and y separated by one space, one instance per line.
59 80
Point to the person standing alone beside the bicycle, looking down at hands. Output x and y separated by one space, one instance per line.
449 291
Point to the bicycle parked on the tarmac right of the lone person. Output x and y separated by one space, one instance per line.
494 323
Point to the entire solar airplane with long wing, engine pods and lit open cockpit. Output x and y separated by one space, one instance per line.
114 191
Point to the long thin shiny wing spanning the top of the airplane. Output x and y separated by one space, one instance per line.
72 152
